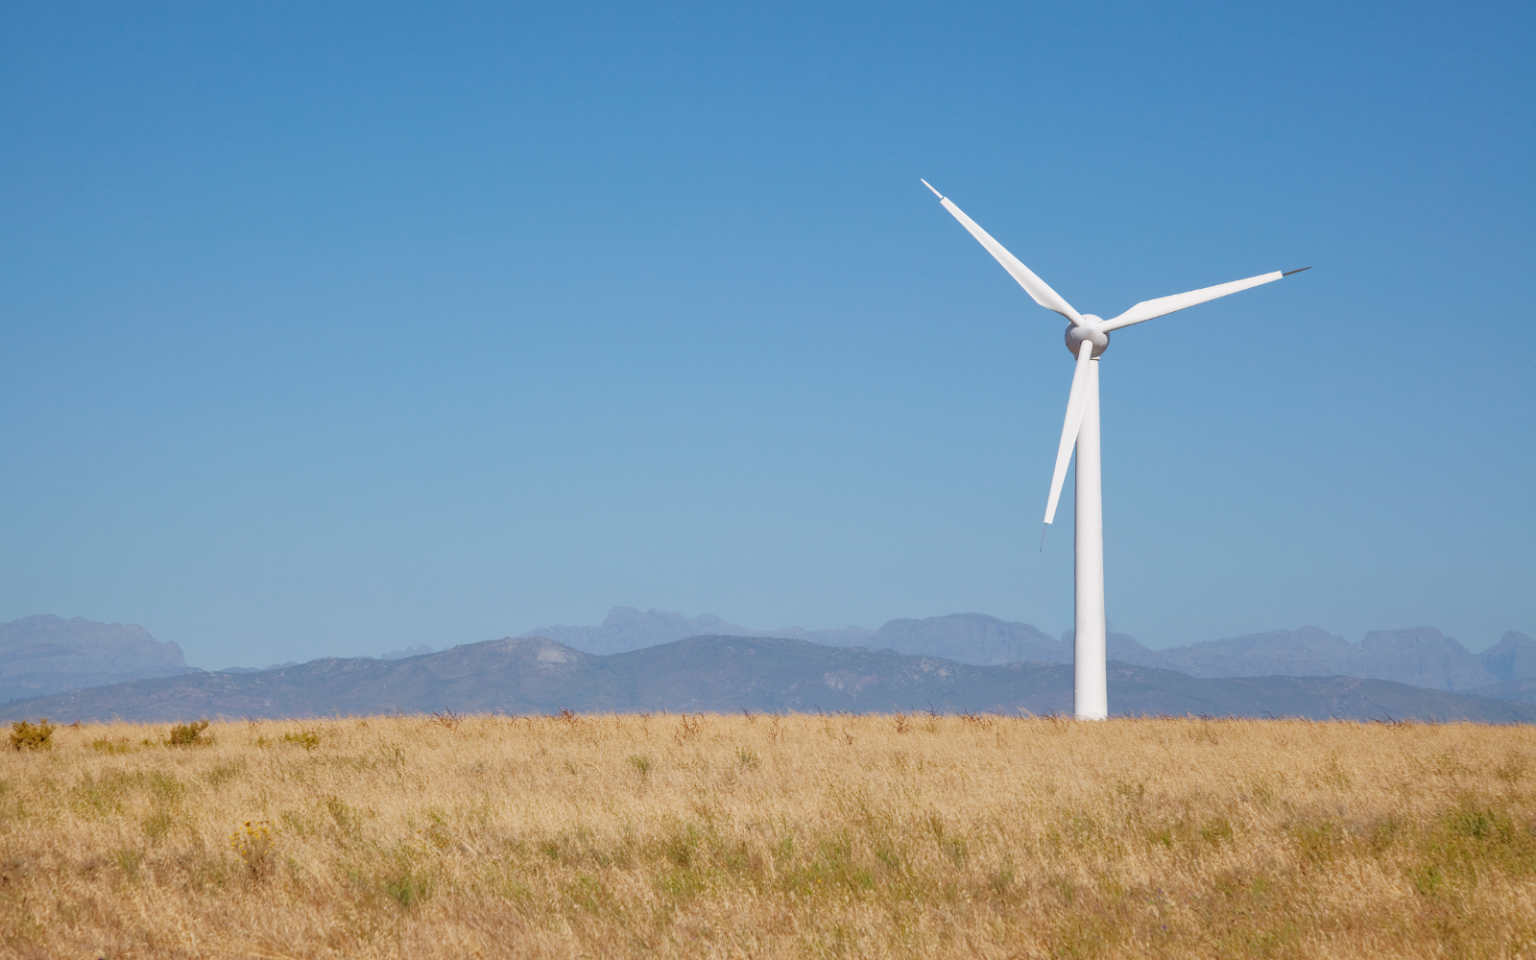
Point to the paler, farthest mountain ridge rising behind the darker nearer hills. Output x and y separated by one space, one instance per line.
47 655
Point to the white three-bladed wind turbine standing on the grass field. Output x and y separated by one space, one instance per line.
1088 337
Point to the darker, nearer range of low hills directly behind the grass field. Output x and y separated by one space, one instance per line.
726 674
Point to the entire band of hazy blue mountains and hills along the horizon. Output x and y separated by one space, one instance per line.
660 661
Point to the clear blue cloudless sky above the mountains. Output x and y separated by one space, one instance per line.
326 329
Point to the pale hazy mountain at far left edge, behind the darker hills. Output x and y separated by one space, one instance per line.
44 655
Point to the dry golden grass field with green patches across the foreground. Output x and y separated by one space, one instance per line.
738 836
